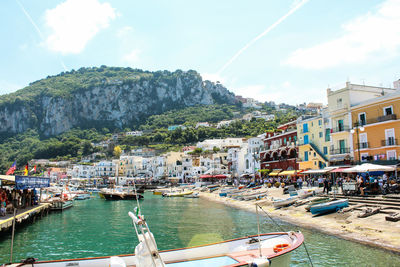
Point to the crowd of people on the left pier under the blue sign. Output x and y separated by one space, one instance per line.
20 199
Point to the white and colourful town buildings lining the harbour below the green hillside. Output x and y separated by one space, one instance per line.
359 124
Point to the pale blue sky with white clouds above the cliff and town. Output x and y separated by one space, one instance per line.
287 51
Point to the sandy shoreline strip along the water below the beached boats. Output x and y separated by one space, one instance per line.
341 225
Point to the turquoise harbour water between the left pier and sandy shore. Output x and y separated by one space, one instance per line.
97 227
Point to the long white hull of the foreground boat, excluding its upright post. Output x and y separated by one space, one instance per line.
241 251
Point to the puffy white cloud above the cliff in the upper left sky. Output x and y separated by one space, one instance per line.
75 22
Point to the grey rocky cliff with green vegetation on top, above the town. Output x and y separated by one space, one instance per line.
104 97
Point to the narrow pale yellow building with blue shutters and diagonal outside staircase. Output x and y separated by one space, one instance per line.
313 142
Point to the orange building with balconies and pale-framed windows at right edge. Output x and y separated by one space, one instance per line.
376 129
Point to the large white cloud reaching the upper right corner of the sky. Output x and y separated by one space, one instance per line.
369 37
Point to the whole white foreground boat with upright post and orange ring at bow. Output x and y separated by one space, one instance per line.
268 249
